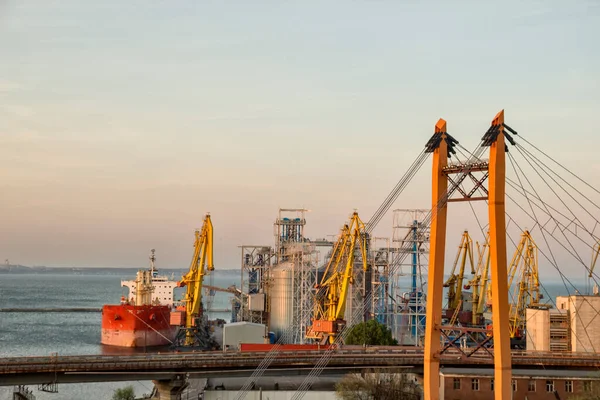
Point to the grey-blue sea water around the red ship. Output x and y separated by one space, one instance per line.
75 333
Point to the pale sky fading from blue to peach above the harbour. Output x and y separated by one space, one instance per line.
123 123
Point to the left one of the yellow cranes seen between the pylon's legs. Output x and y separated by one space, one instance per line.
455 281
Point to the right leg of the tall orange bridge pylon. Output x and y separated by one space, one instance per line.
502 356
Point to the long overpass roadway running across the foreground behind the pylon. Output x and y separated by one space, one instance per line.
160 367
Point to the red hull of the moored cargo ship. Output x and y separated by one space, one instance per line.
136 326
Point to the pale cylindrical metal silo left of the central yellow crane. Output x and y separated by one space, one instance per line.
281 299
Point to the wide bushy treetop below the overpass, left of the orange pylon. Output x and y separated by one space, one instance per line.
376 385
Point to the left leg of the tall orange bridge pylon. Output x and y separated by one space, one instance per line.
436 269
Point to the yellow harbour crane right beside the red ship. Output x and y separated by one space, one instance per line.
202 263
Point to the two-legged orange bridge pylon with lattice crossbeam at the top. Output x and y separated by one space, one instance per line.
440 145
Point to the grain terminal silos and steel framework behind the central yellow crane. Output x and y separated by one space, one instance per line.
279 281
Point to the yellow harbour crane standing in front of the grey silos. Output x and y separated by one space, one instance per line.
332 291
